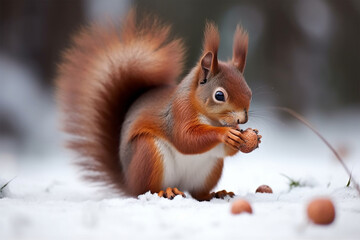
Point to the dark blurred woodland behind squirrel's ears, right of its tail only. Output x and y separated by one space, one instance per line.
305 72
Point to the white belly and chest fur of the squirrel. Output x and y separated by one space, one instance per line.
187 171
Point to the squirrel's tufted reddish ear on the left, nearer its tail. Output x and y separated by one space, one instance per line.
211 45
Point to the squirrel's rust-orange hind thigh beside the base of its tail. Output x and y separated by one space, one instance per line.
145 171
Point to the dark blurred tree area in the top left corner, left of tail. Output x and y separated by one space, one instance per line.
35 31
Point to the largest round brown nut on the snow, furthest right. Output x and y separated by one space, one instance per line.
321 211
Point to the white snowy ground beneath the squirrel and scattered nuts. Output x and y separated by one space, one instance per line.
48 201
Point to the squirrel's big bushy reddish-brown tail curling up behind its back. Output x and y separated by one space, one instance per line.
100 76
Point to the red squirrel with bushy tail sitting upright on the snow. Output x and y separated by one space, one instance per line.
135 128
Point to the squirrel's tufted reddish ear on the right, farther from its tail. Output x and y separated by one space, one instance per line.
240 46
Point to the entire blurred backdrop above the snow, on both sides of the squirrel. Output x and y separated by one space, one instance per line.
303 54
